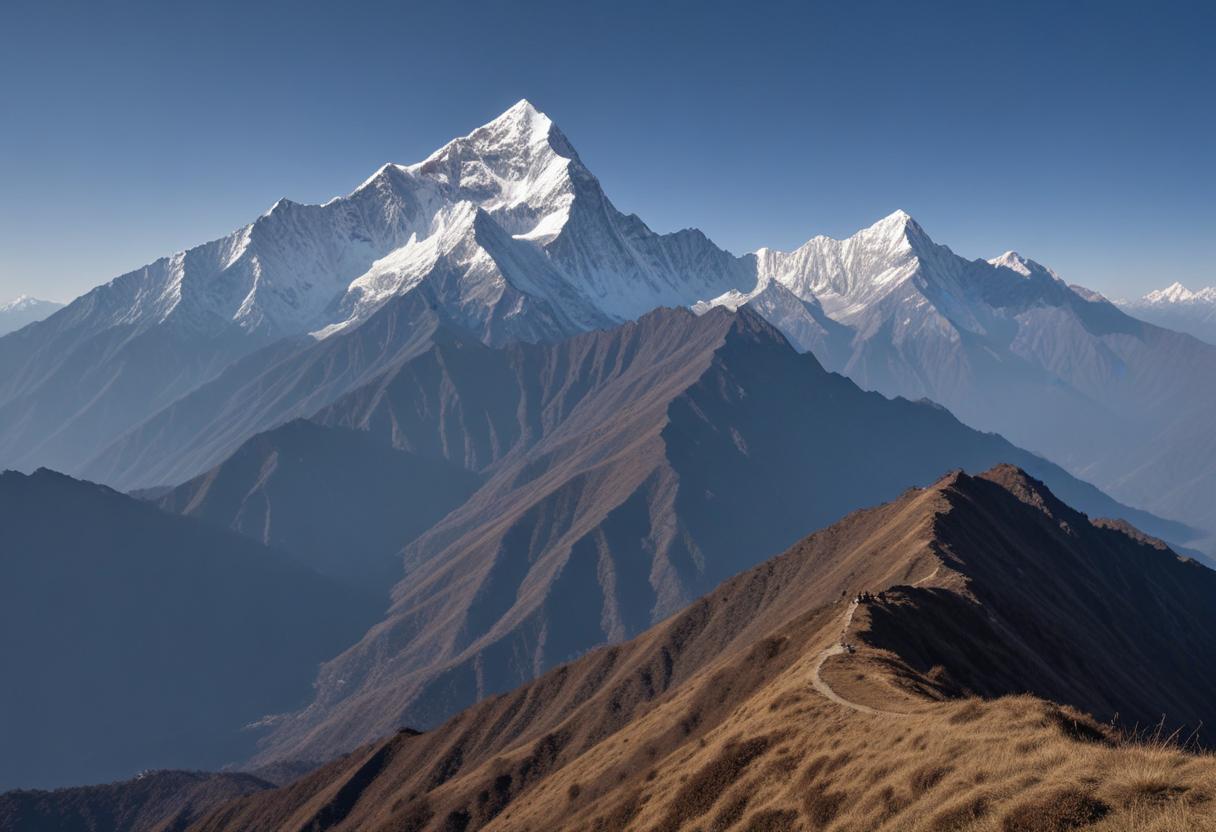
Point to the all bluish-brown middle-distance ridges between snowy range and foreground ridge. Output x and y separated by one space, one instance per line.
513 507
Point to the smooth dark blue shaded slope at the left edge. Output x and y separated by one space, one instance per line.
137 639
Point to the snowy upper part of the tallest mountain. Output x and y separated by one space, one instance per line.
324 268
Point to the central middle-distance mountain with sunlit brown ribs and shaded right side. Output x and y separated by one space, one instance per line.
628 473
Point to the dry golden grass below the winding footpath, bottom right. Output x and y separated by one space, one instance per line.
1016 764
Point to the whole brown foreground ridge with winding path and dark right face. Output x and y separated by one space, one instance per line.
745 712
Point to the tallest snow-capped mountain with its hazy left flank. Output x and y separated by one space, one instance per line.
503 232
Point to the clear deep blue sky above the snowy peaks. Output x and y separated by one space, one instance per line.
1080 134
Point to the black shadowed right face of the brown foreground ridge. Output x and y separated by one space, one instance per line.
1094 615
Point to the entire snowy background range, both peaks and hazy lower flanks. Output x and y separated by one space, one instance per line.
161 374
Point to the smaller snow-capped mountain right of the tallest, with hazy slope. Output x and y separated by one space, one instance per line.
1007 347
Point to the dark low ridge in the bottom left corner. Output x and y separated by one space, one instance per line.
154 802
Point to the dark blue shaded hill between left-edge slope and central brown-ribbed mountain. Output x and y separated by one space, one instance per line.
334 499
